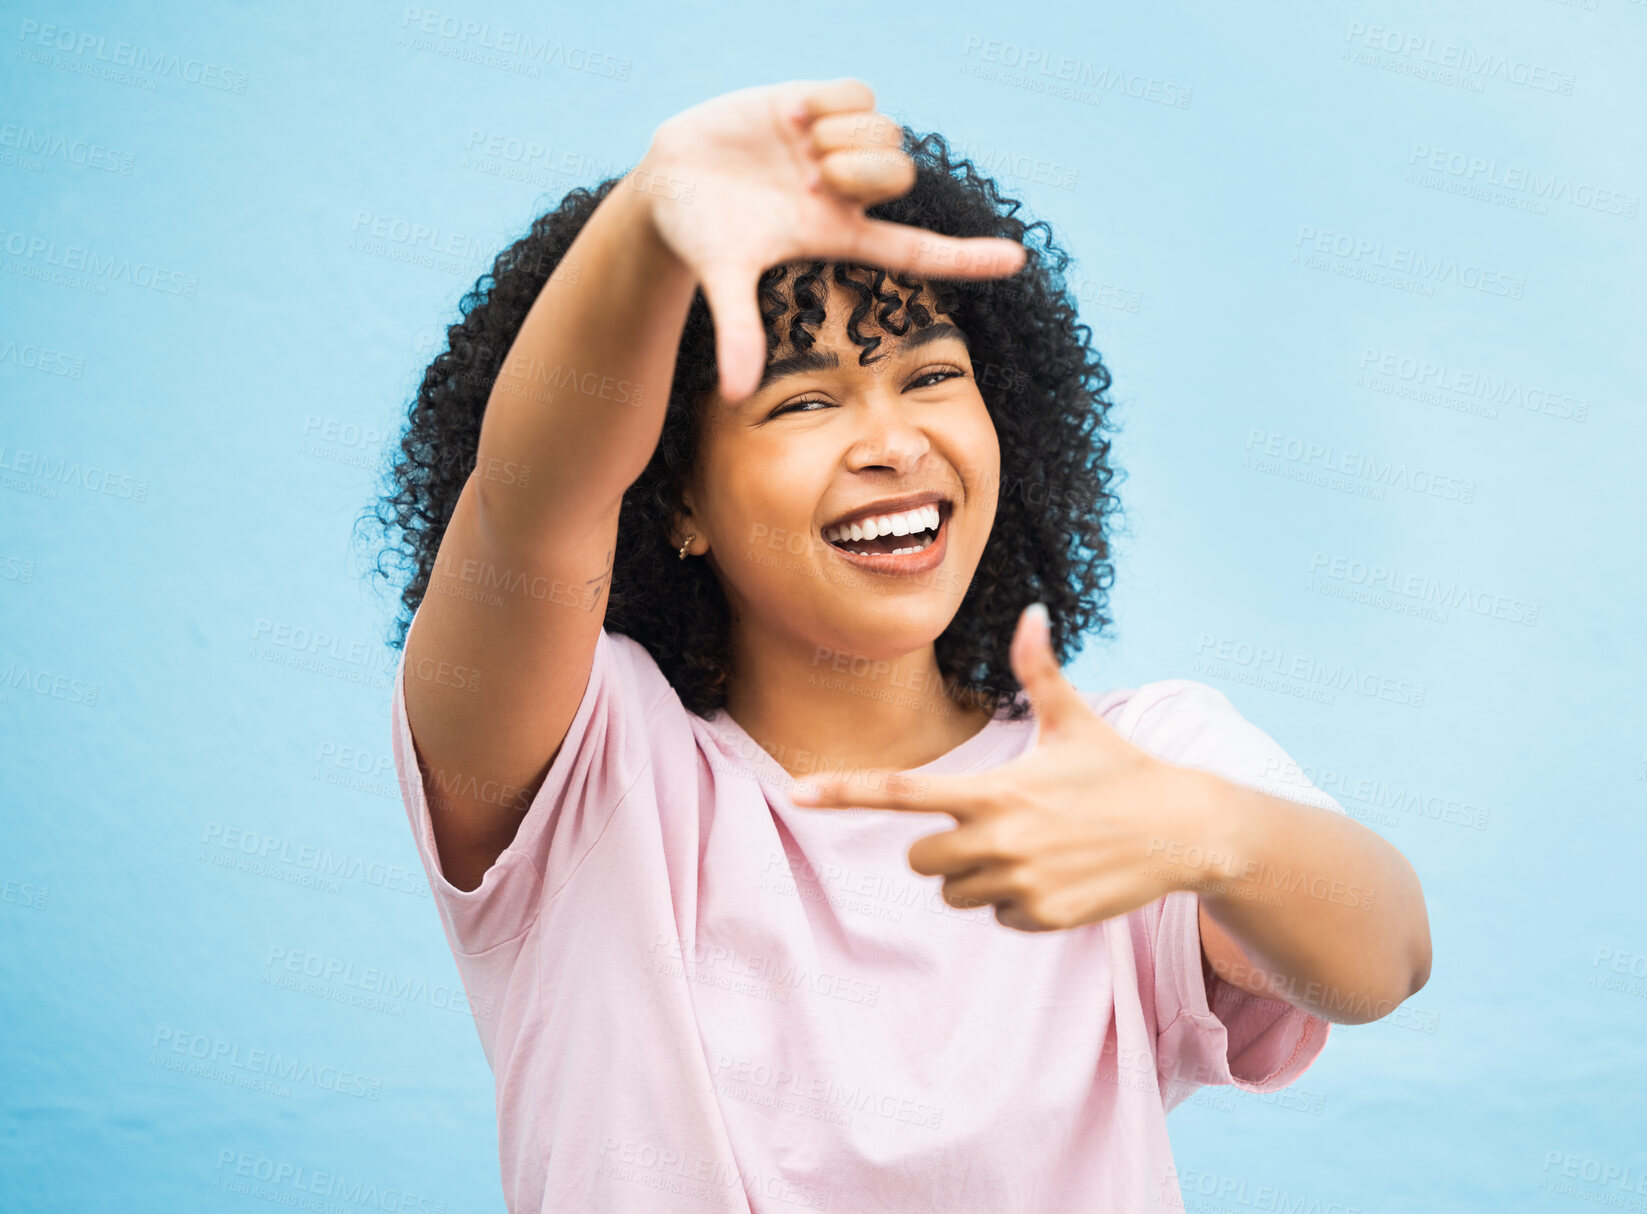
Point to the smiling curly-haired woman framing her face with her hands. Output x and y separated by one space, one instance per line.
782 457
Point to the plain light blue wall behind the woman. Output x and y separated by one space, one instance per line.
222 432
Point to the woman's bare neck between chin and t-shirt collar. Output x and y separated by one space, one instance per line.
824 712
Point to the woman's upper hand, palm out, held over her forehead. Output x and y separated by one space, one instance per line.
785 172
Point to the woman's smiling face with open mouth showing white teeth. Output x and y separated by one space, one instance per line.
846 507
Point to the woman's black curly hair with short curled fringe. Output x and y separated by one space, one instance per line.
1042 381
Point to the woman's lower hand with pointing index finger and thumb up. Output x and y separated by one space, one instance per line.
1071 833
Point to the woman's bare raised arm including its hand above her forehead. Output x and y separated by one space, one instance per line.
754 179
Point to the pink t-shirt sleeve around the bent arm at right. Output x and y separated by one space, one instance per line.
1218 1034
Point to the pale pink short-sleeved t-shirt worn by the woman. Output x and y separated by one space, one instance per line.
696 996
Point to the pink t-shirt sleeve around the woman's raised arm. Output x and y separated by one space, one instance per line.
600 759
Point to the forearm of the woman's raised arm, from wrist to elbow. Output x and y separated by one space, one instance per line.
579 401
